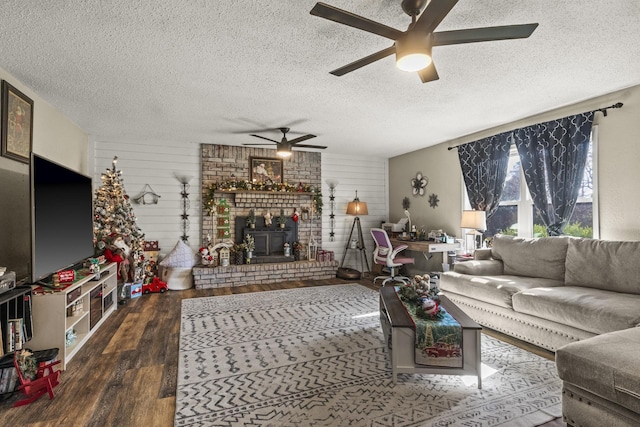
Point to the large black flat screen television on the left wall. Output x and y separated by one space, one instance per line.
62 205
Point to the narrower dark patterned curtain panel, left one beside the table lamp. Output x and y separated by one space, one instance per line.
484 168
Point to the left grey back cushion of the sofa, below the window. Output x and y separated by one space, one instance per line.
543 257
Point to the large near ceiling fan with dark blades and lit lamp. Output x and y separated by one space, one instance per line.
413 46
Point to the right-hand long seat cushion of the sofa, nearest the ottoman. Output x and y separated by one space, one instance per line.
592 310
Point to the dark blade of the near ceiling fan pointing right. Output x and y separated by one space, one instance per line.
484 34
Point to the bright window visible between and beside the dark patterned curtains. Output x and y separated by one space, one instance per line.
516 215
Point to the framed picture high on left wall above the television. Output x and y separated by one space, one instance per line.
16 125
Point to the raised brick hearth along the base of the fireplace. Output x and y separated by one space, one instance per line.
248 274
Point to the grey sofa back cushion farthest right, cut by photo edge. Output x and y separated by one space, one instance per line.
614 266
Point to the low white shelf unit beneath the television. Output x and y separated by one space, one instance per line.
82 307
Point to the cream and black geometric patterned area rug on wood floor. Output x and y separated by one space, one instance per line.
316 357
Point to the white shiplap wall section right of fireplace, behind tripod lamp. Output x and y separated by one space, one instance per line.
369 176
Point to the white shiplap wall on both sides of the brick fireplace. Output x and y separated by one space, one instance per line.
157 162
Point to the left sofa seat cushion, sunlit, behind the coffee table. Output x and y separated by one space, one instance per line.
496 290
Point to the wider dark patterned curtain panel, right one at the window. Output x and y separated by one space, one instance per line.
553 156
